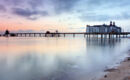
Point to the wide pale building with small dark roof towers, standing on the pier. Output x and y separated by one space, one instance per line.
103 28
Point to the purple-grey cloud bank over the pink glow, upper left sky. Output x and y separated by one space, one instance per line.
29 8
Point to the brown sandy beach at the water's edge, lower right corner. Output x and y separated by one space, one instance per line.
122 72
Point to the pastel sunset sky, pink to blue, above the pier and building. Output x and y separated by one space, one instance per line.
62 15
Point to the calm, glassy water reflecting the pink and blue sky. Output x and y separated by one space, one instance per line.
59 58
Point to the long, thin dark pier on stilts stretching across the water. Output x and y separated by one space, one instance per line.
102 35
